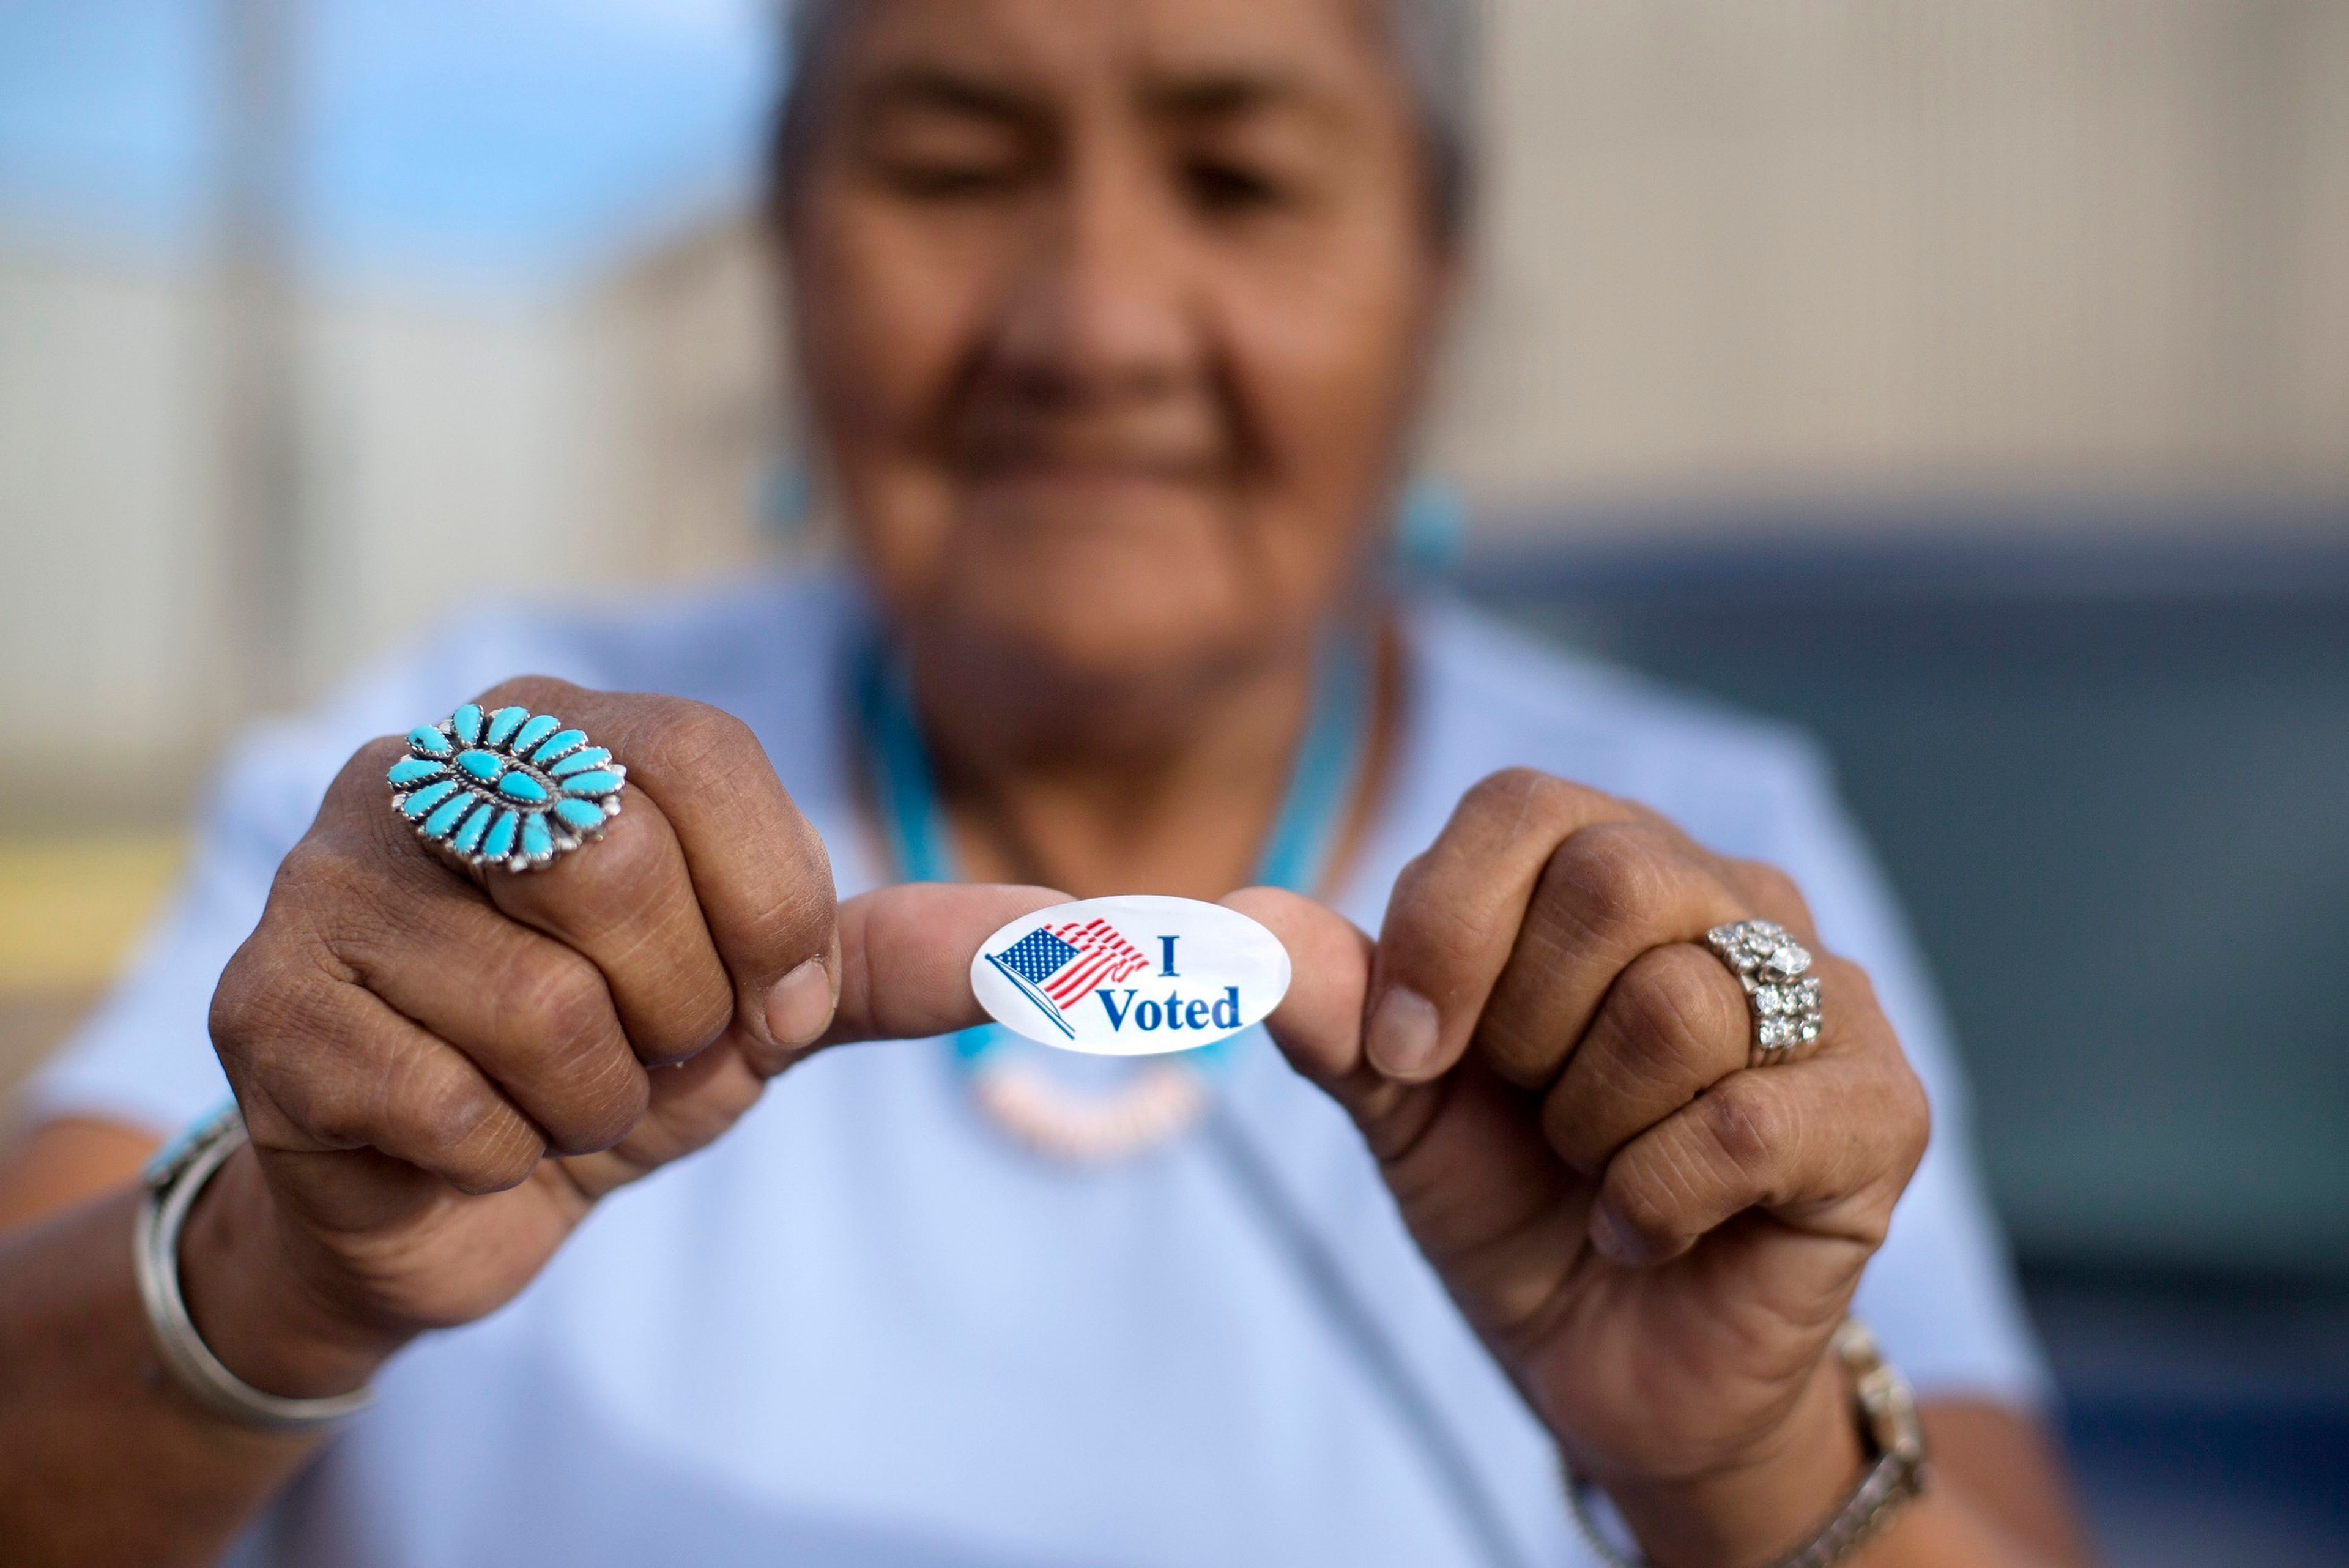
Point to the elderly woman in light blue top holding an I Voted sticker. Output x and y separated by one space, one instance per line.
1526 1238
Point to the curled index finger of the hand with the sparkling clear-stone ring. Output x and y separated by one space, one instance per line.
1455 913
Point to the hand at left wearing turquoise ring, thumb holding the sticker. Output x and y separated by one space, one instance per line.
443 1073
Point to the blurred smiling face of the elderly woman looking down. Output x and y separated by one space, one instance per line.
1112 316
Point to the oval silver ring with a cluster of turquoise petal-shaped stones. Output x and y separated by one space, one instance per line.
506 789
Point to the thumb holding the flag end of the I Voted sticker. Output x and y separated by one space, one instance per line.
906 956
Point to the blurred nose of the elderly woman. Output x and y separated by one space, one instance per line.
1101 311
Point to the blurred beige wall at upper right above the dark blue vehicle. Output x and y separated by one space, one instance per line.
1909 246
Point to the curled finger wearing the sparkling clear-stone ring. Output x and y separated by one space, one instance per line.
1674 1024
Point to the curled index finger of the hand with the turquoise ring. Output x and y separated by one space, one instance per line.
758 871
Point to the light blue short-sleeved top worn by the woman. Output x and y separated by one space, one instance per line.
866 1329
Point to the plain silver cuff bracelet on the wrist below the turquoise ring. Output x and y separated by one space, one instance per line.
173 1184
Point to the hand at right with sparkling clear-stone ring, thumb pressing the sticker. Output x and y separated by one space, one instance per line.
1655 1238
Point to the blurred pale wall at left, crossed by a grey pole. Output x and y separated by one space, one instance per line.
447 453
